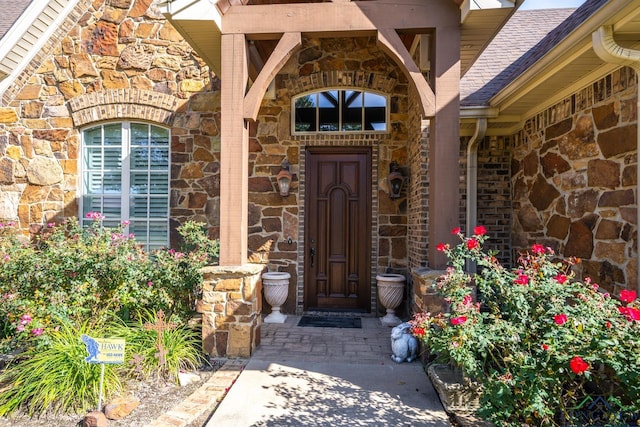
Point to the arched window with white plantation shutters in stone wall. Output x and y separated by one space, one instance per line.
125 176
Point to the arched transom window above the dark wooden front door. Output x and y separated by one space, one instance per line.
340 110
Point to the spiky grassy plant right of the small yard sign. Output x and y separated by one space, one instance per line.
158 347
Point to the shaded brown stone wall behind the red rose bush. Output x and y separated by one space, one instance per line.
574 180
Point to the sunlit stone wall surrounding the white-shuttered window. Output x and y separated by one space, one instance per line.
110 60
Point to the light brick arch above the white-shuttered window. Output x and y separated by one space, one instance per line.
123 103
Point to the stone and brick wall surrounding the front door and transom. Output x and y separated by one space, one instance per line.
322 64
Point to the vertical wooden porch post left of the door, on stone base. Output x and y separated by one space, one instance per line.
234 152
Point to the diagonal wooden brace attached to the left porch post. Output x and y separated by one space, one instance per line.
287 45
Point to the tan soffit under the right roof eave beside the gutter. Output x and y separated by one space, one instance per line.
569 66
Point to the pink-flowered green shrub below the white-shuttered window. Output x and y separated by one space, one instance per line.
75 273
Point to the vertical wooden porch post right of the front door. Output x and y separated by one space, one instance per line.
444 145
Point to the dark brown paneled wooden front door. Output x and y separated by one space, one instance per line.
338 228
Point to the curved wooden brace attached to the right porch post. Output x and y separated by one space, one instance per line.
392 45
